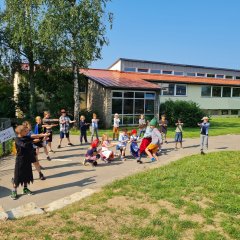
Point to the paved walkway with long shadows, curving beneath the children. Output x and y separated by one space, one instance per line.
66 175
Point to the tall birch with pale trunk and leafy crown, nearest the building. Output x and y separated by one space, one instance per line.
75 31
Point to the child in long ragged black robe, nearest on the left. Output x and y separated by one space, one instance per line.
23 167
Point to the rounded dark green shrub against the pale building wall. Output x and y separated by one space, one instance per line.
189 112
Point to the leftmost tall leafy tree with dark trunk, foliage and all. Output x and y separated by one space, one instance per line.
19 32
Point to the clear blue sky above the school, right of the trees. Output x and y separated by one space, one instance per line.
199 32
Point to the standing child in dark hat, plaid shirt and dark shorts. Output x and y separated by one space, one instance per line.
64 122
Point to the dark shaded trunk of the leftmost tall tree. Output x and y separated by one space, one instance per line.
32 103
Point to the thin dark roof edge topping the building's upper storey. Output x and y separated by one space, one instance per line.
174 64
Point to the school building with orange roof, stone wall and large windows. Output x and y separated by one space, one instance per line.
132 87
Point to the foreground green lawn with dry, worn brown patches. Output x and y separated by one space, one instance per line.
197 197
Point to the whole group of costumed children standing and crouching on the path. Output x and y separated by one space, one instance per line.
147 141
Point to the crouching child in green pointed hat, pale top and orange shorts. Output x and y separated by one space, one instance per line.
152 148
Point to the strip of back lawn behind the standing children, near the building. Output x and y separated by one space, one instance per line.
219 126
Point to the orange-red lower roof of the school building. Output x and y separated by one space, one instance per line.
117 79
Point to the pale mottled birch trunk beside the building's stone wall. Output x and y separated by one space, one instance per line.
76 94
